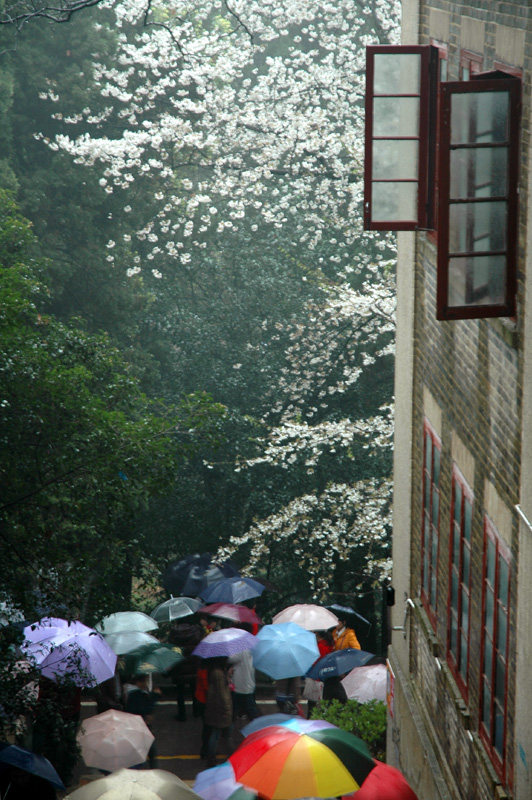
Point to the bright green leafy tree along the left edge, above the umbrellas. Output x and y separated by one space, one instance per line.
82 449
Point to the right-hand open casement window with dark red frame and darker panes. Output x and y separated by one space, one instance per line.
477 203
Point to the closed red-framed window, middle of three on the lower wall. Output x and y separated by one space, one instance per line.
459 597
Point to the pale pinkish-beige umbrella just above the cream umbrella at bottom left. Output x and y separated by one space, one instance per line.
114 739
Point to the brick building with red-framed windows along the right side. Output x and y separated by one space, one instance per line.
460 658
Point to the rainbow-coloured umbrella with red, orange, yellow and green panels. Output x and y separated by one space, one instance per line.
282 764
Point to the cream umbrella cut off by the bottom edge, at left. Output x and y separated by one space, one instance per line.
133 784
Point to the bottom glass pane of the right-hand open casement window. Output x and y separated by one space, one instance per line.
477 280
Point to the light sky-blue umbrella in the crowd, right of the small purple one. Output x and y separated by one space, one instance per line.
285 650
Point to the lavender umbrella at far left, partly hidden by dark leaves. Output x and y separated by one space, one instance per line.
62 648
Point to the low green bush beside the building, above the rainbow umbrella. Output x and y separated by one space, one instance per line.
365 720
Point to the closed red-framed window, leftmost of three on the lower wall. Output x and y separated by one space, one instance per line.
430 523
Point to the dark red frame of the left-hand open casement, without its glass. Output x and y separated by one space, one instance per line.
427 93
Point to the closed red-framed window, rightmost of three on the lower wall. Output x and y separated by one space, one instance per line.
493 712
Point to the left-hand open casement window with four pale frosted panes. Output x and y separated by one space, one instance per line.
399 162
